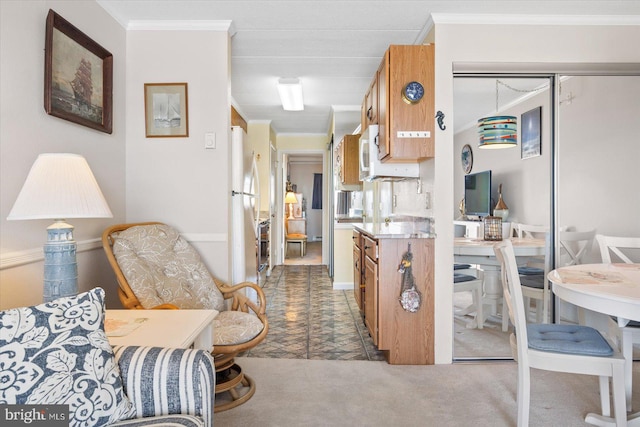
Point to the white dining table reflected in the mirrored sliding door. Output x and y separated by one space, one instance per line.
480 252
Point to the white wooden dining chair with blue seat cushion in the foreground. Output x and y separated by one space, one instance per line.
560 348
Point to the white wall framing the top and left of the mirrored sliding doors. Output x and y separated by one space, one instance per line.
524 43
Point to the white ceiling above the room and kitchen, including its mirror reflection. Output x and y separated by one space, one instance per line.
333 47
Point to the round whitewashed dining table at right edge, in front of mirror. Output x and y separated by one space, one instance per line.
611 289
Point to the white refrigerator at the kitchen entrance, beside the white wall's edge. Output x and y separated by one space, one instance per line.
245 208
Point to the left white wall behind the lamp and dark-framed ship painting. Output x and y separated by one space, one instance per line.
26 131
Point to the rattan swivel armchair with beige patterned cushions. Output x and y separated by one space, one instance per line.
156 268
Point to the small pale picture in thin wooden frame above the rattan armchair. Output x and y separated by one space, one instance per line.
166 110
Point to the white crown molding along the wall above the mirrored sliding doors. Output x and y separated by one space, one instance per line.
499 19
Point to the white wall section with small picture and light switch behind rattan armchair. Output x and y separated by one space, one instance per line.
177 180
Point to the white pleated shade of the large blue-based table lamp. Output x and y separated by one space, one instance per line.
60 186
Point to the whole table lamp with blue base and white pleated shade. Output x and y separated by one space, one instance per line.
60 186
